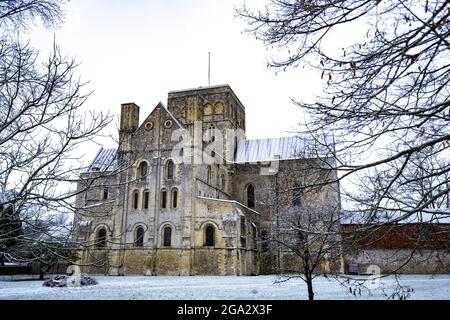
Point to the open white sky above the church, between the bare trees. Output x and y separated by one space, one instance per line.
139 52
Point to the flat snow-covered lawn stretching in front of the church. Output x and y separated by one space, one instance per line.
215 287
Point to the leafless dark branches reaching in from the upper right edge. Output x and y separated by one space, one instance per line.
386 92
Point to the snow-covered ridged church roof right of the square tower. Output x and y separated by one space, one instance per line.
272 149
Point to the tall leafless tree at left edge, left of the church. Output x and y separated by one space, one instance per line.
42 124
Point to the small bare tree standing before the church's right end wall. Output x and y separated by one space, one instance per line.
304 222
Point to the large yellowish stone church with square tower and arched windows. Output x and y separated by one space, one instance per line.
186 193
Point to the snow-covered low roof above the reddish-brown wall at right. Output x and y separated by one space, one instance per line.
438 216
